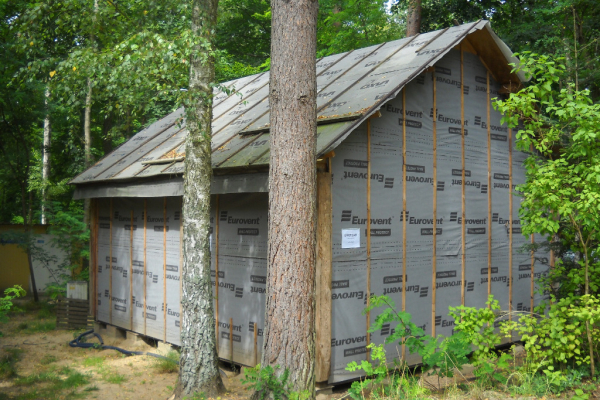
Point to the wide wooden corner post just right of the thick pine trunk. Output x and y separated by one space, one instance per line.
323 273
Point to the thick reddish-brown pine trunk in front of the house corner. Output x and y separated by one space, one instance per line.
290 308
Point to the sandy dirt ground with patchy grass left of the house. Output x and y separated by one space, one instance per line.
44 352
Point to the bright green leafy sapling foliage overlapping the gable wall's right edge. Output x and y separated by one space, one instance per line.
562 192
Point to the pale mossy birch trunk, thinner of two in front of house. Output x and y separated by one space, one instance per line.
198 366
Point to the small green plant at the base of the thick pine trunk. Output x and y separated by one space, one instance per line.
265 381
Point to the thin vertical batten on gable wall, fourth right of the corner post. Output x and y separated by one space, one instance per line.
463 259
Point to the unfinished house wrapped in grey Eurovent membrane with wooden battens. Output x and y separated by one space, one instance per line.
416 179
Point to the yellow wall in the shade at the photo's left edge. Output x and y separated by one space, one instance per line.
14 268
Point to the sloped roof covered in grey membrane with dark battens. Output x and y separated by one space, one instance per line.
350 87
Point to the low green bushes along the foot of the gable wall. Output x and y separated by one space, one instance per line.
550 341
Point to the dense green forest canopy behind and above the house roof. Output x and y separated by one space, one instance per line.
136 55
